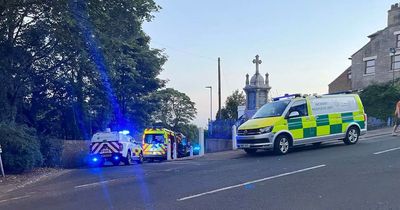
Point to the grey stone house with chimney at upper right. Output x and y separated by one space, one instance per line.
376 62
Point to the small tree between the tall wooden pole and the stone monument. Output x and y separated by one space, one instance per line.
231 104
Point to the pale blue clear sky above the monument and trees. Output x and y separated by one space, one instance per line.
303 44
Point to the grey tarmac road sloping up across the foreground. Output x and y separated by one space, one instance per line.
333 176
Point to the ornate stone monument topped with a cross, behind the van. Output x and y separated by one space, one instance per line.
256 90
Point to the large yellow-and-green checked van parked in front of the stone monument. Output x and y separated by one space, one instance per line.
294 120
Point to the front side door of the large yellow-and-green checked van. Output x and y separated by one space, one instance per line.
300 123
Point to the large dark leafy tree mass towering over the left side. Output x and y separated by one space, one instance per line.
70 68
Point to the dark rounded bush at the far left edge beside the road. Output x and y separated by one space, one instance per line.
21 150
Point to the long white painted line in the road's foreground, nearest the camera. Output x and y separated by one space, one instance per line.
250 182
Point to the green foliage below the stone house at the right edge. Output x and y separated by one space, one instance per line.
379 100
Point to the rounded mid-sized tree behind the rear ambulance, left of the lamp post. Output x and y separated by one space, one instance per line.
175 108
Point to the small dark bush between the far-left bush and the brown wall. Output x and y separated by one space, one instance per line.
51 150
